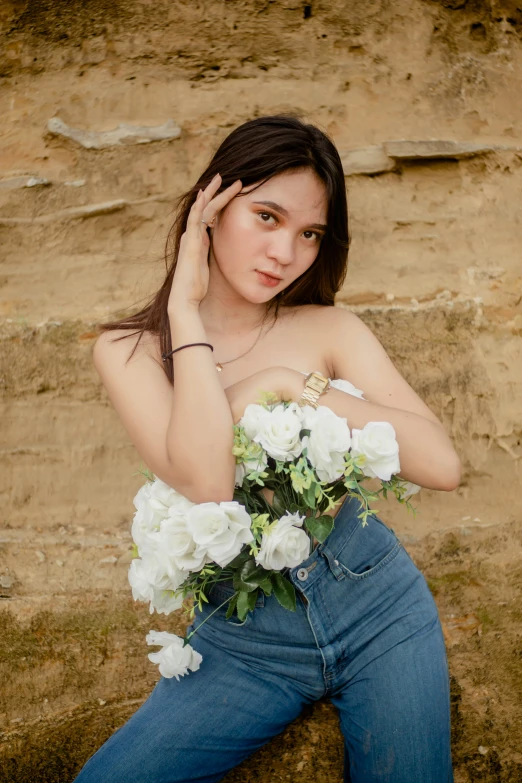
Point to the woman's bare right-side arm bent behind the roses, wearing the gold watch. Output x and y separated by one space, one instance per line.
426 452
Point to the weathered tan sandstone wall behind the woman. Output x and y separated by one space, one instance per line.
422 100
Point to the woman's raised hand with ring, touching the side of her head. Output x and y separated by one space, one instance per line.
191 278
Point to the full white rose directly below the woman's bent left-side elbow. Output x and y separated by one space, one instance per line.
220 530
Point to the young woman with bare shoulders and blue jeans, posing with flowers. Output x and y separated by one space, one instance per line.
259 250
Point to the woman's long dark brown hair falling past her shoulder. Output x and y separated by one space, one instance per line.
254 152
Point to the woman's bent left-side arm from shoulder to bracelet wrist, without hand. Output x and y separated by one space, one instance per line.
185 435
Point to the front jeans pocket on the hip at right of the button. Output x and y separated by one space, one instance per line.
368 550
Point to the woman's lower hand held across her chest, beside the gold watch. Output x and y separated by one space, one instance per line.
285 383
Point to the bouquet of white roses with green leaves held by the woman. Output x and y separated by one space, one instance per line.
308 459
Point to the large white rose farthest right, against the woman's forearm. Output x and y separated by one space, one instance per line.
378 443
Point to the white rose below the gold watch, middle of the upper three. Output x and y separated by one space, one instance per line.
328 442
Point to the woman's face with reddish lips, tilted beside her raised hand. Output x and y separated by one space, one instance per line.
275 229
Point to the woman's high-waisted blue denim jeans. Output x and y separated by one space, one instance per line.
366 635
